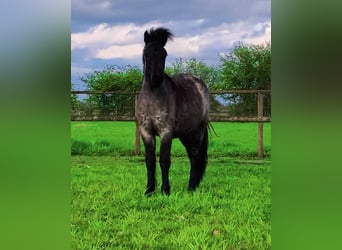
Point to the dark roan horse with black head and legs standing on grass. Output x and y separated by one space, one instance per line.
171 107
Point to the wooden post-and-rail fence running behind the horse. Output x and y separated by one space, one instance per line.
225 106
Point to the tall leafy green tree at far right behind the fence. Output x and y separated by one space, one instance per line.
247 67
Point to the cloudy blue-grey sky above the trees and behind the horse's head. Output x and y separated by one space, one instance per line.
105 32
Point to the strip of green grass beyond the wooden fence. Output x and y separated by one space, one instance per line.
117 139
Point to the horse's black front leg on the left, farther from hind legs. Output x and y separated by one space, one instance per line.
150 160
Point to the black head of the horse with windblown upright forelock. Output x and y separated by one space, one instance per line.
154 55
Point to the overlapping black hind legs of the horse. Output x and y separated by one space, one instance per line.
196 146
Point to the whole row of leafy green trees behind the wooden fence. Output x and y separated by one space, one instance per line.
244 67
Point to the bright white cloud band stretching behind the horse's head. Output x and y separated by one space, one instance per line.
126 41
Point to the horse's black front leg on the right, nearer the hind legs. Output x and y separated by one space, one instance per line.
165 162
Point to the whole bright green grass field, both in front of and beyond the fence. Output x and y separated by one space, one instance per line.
230 210
